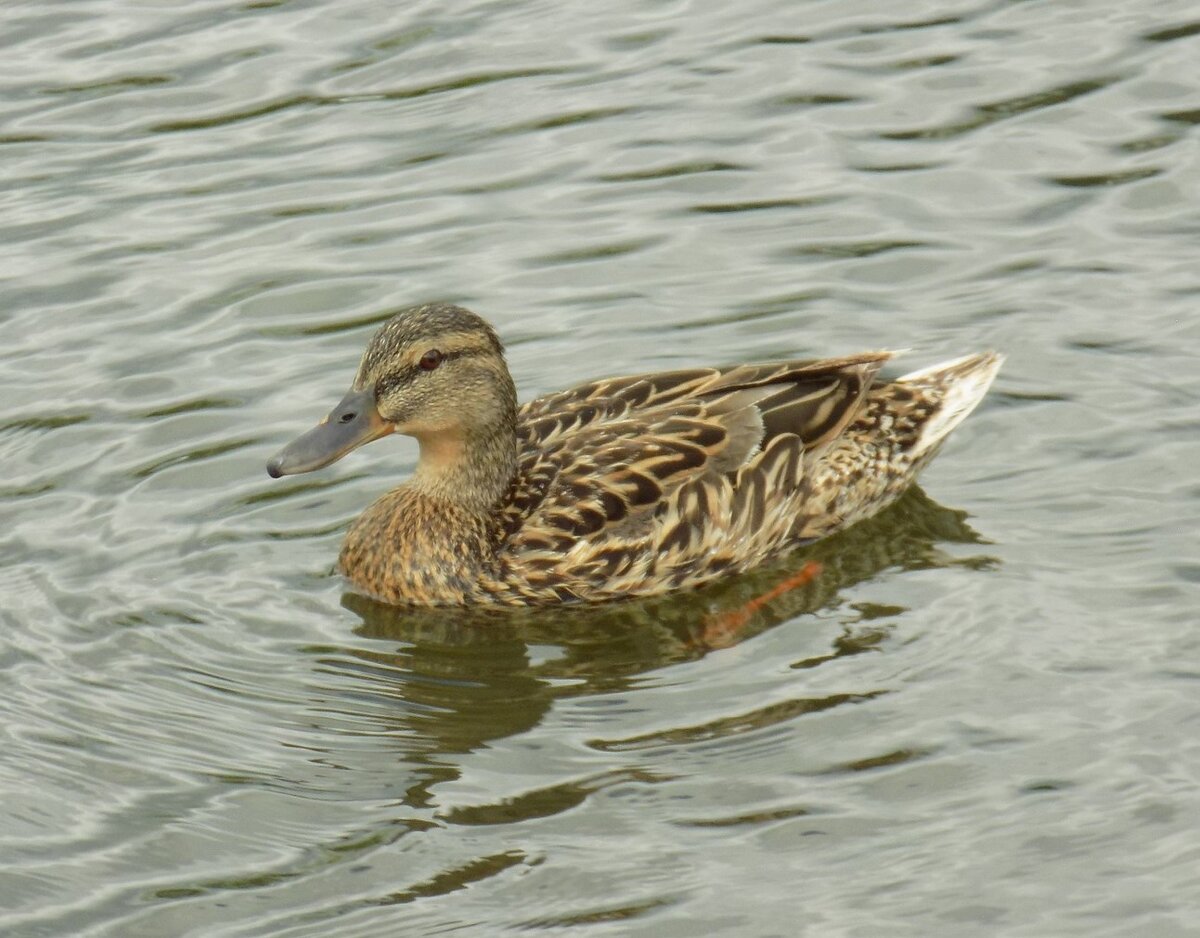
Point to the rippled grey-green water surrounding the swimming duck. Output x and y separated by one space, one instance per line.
981 719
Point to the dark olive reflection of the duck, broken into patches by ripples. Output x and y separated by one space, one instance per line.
451 681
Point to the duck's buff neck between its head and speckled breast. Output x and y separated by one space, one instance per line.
471 470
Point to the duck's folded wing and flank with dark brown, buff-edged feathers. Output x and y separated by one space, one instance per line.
647 483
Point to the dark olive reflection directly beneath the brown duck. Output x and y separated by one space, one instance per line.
471 676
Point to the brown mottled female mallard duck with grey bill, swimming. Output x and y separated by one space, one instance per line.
621 488
